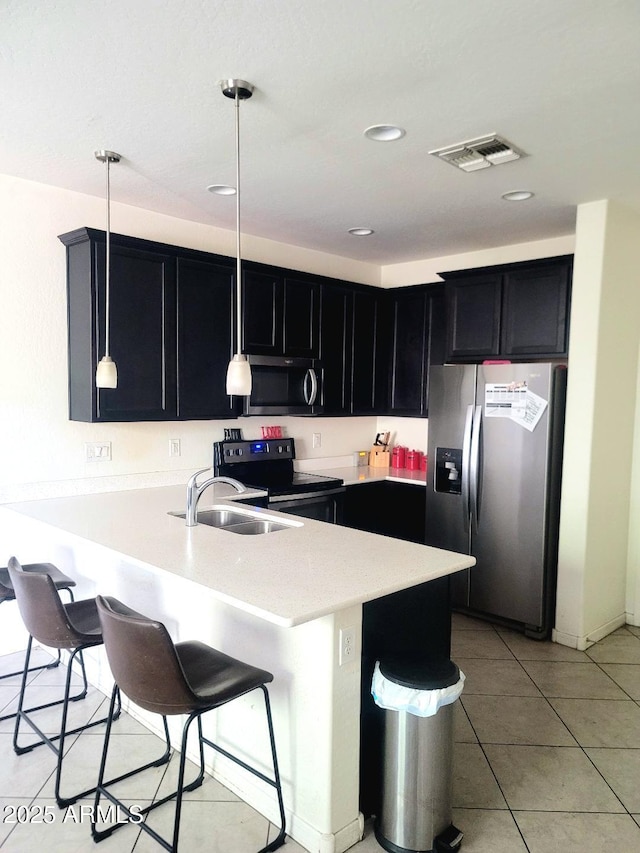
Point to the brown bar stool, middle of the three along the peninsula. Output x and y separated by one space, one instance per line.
74 627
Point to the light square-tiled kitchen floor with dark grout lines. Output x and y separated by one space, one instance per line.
547 759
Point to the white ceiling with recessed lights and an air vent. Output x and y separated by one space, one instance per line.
560 79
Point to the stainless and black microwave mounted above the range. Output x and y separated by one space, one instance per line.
284 386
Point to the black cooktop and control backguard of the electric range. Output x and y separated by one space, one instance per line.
267 464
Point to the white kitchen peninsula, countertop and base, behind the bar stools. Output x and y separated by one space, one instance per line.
277 600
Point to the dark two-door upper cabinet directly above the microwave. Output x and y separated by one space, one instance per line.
280 314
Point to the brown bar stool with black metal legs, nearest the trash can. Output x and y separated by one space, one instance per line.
184 678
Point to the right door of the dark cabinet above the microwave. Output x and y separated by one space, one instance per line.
301 321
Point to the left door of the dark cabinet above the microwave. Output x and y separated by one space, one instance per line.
262 304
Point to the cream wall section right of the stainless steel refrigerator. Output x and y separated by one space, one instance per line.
601 411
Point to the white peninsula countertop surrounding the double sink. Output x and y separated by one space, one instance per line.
287 577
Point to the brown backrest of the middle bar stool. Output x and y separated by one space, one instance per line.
42 611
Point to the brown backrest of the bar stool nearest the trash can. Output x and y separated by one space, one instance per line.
143 659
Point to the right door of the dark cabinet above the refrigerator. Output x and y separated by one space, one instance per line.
535 311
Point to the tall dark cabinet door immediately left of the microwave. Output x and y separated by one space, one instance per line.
205 312
